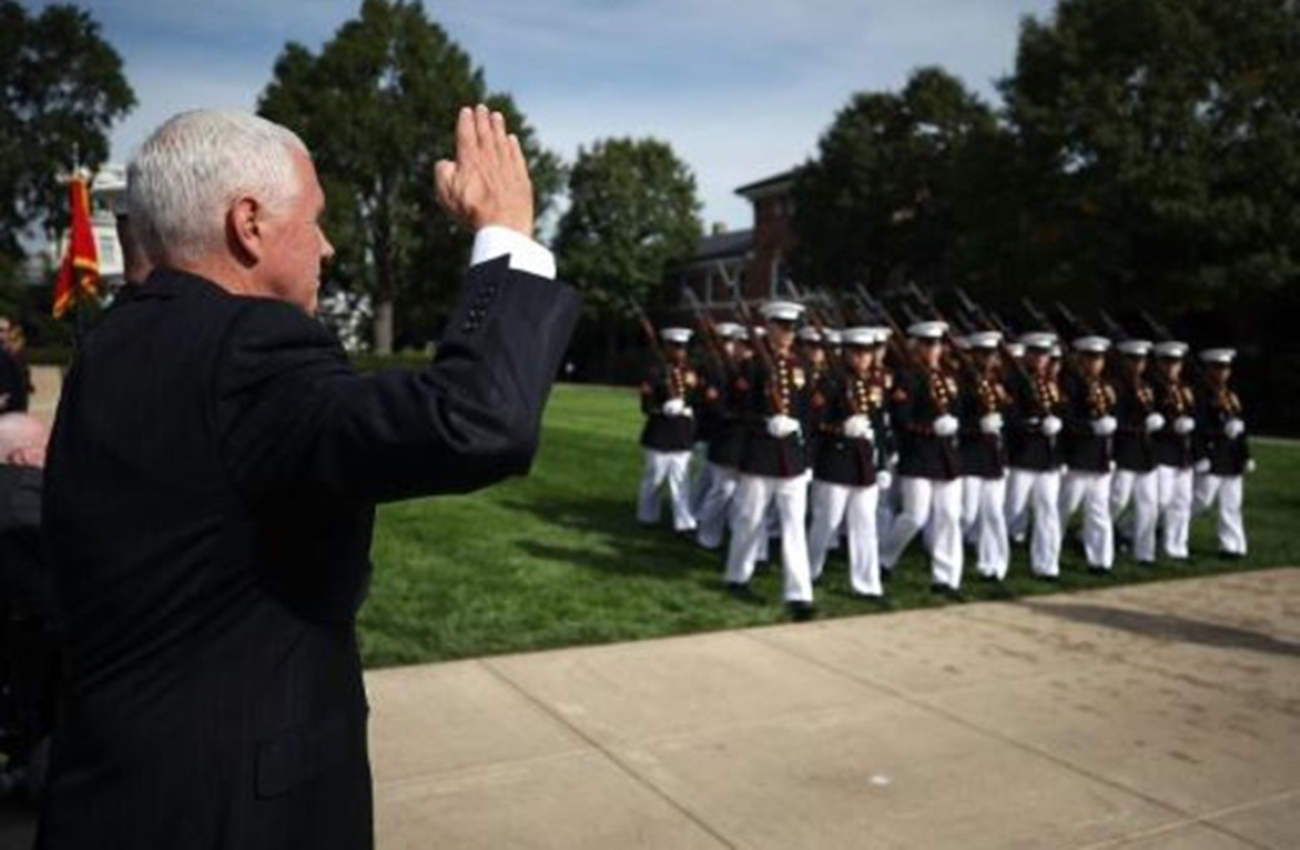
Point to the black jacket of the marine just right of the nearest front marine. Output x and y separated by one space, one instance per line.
843 459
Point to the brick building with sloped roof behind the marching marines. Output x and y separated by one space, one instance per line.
756 261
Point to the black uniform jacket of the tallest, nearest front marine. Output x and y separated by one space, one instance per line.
787 393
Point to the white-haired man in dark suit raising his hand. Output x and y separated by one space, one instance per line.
213 483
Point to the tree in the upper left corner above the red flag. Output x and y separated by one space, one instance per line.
63 90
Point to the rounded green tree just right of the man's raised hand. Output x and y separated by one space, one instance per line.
632 212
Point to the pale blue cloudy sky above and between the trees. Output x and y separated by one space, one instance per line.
742 89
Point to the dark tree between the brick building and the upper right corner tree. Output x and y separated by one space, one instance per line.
895 189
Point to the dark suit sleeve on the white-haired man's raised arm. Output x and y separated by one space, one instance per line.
294 419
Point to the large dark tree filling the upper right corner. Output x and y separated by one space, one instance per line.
1162 146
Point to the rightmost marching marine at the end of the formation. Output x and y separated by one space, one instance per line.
1223 453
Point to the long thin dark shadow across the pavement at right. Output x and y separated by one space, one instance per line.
1168 627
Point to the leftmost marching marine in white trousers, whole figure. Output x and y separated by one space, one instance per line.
669 400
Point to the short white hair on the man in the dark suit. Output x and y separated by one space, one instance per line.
183 181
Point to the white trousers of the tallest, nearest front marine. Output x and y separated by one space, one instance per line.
749 527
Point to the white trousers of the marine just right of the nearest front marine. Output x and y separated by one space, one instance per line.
853 509
